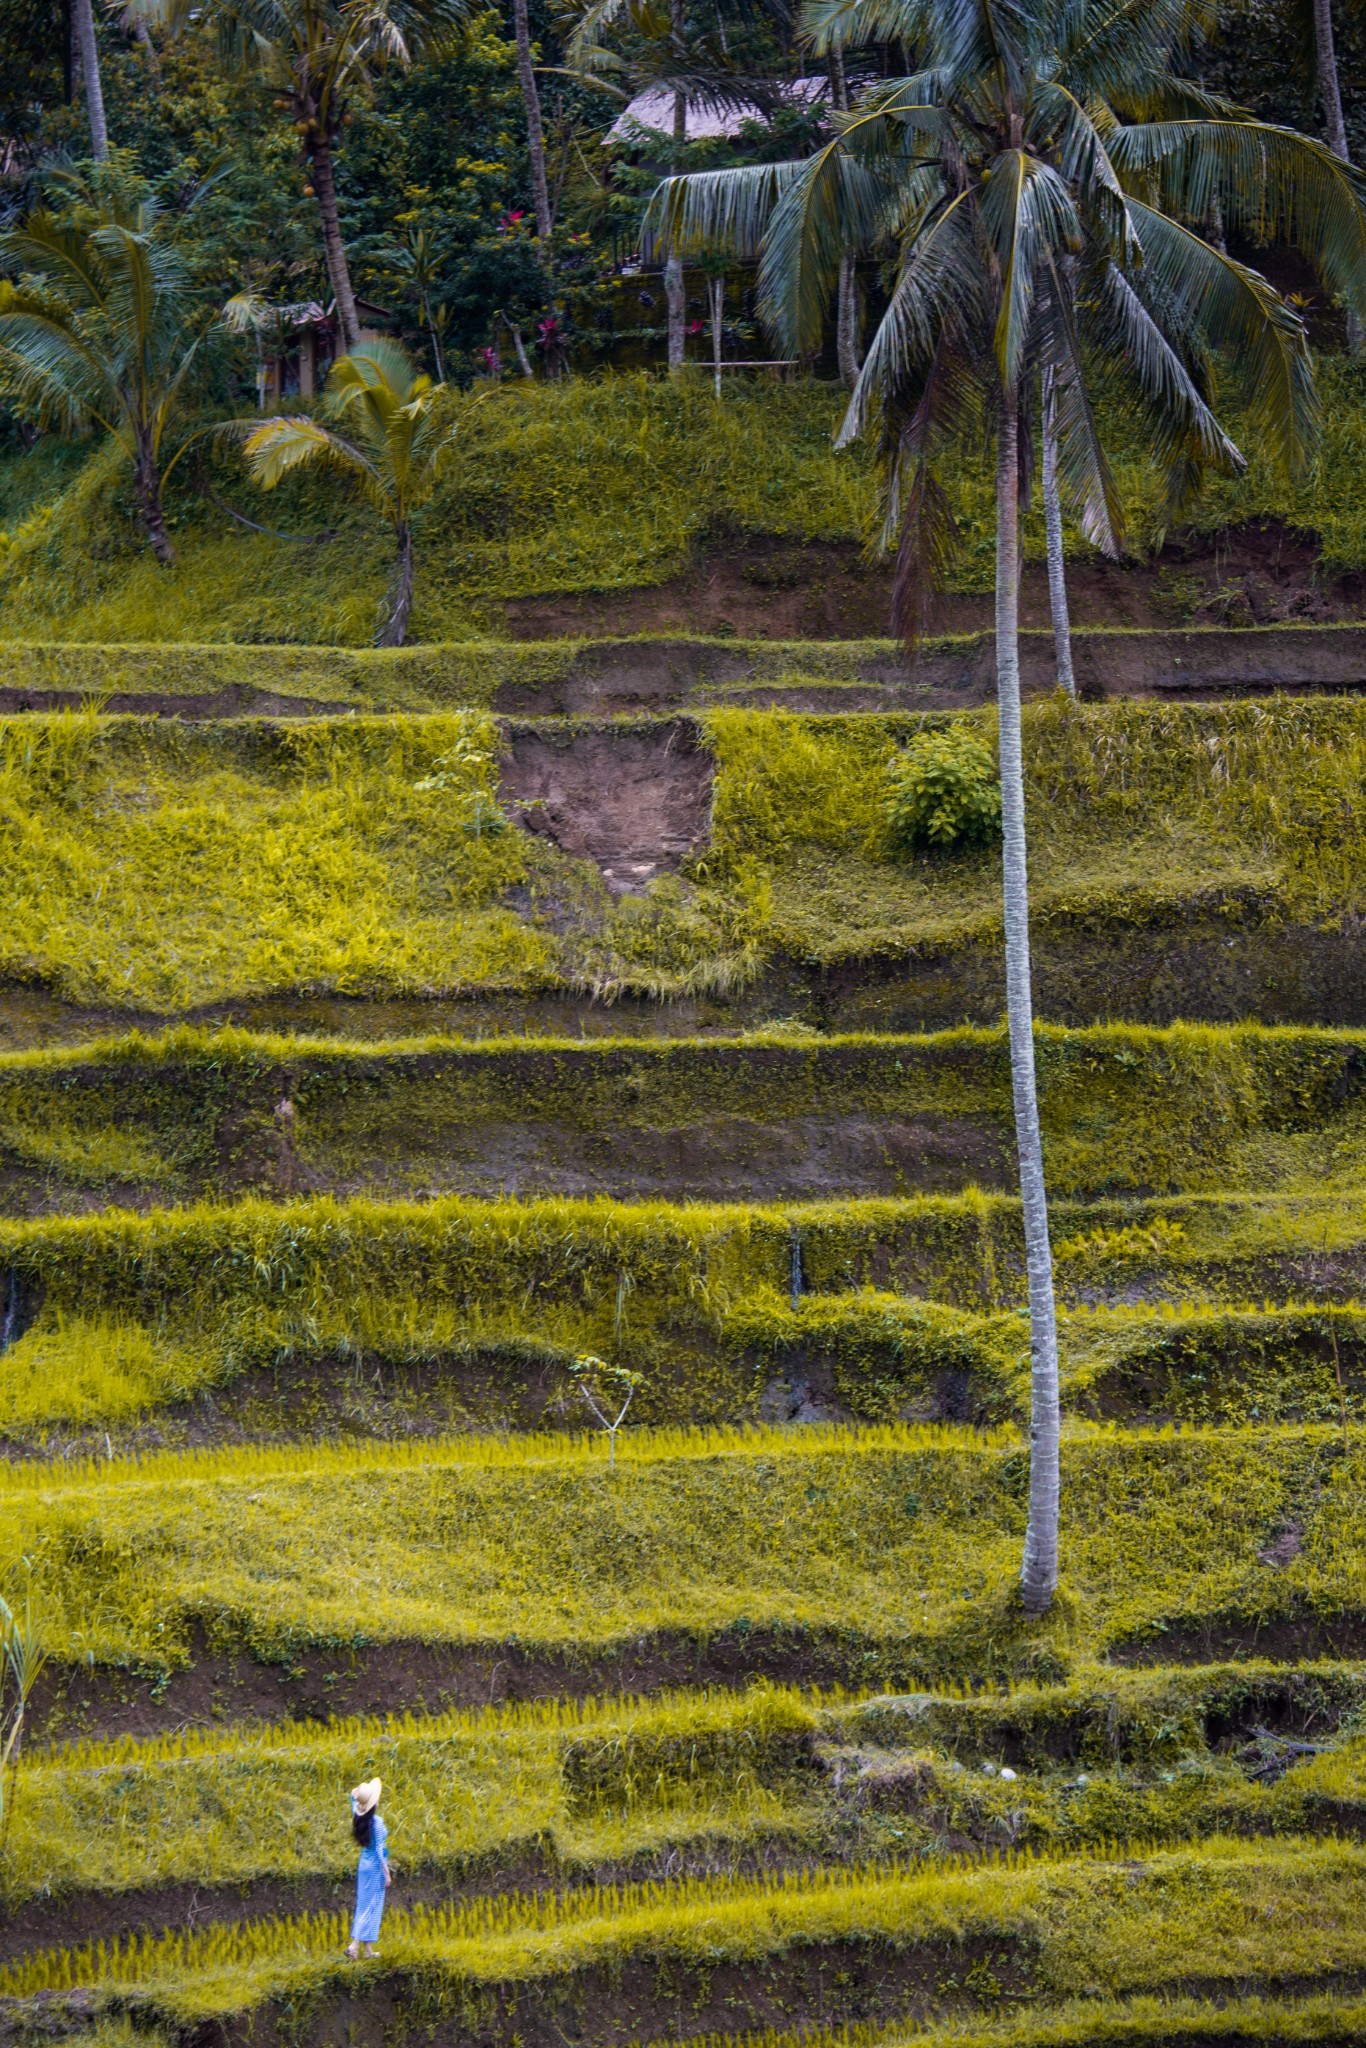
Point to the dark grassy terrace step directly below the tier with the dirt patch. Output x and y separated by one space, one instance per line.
191 1111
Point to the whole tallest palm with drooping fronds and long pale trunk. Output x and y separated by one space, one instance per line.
1041 179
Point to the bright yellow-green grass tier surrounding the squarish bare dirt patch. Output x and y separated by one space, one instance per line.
161 867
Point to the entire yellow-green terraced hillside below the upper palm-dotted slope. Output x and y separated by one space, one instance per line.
384 1037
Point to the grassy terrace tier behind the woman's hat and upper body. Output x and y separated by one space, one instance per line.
581 1787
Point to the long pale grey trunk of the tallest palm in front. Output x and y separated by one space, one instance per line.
1039 1568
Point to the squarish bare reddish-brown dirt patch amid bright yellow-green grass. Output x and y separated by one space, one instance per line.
634 800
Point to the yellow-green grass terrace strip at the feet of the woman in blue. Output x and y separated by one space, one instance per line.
1215 1914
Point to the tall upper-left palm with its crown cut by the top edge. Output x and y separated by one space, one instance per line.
321 58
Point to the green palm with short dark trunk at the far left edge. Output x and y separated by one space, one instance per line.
103 329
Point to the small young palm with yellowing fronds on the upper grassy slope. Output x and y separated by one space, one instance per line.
396 443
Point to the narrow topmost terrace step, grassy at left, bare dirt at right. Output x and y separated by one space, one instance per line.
572 675
